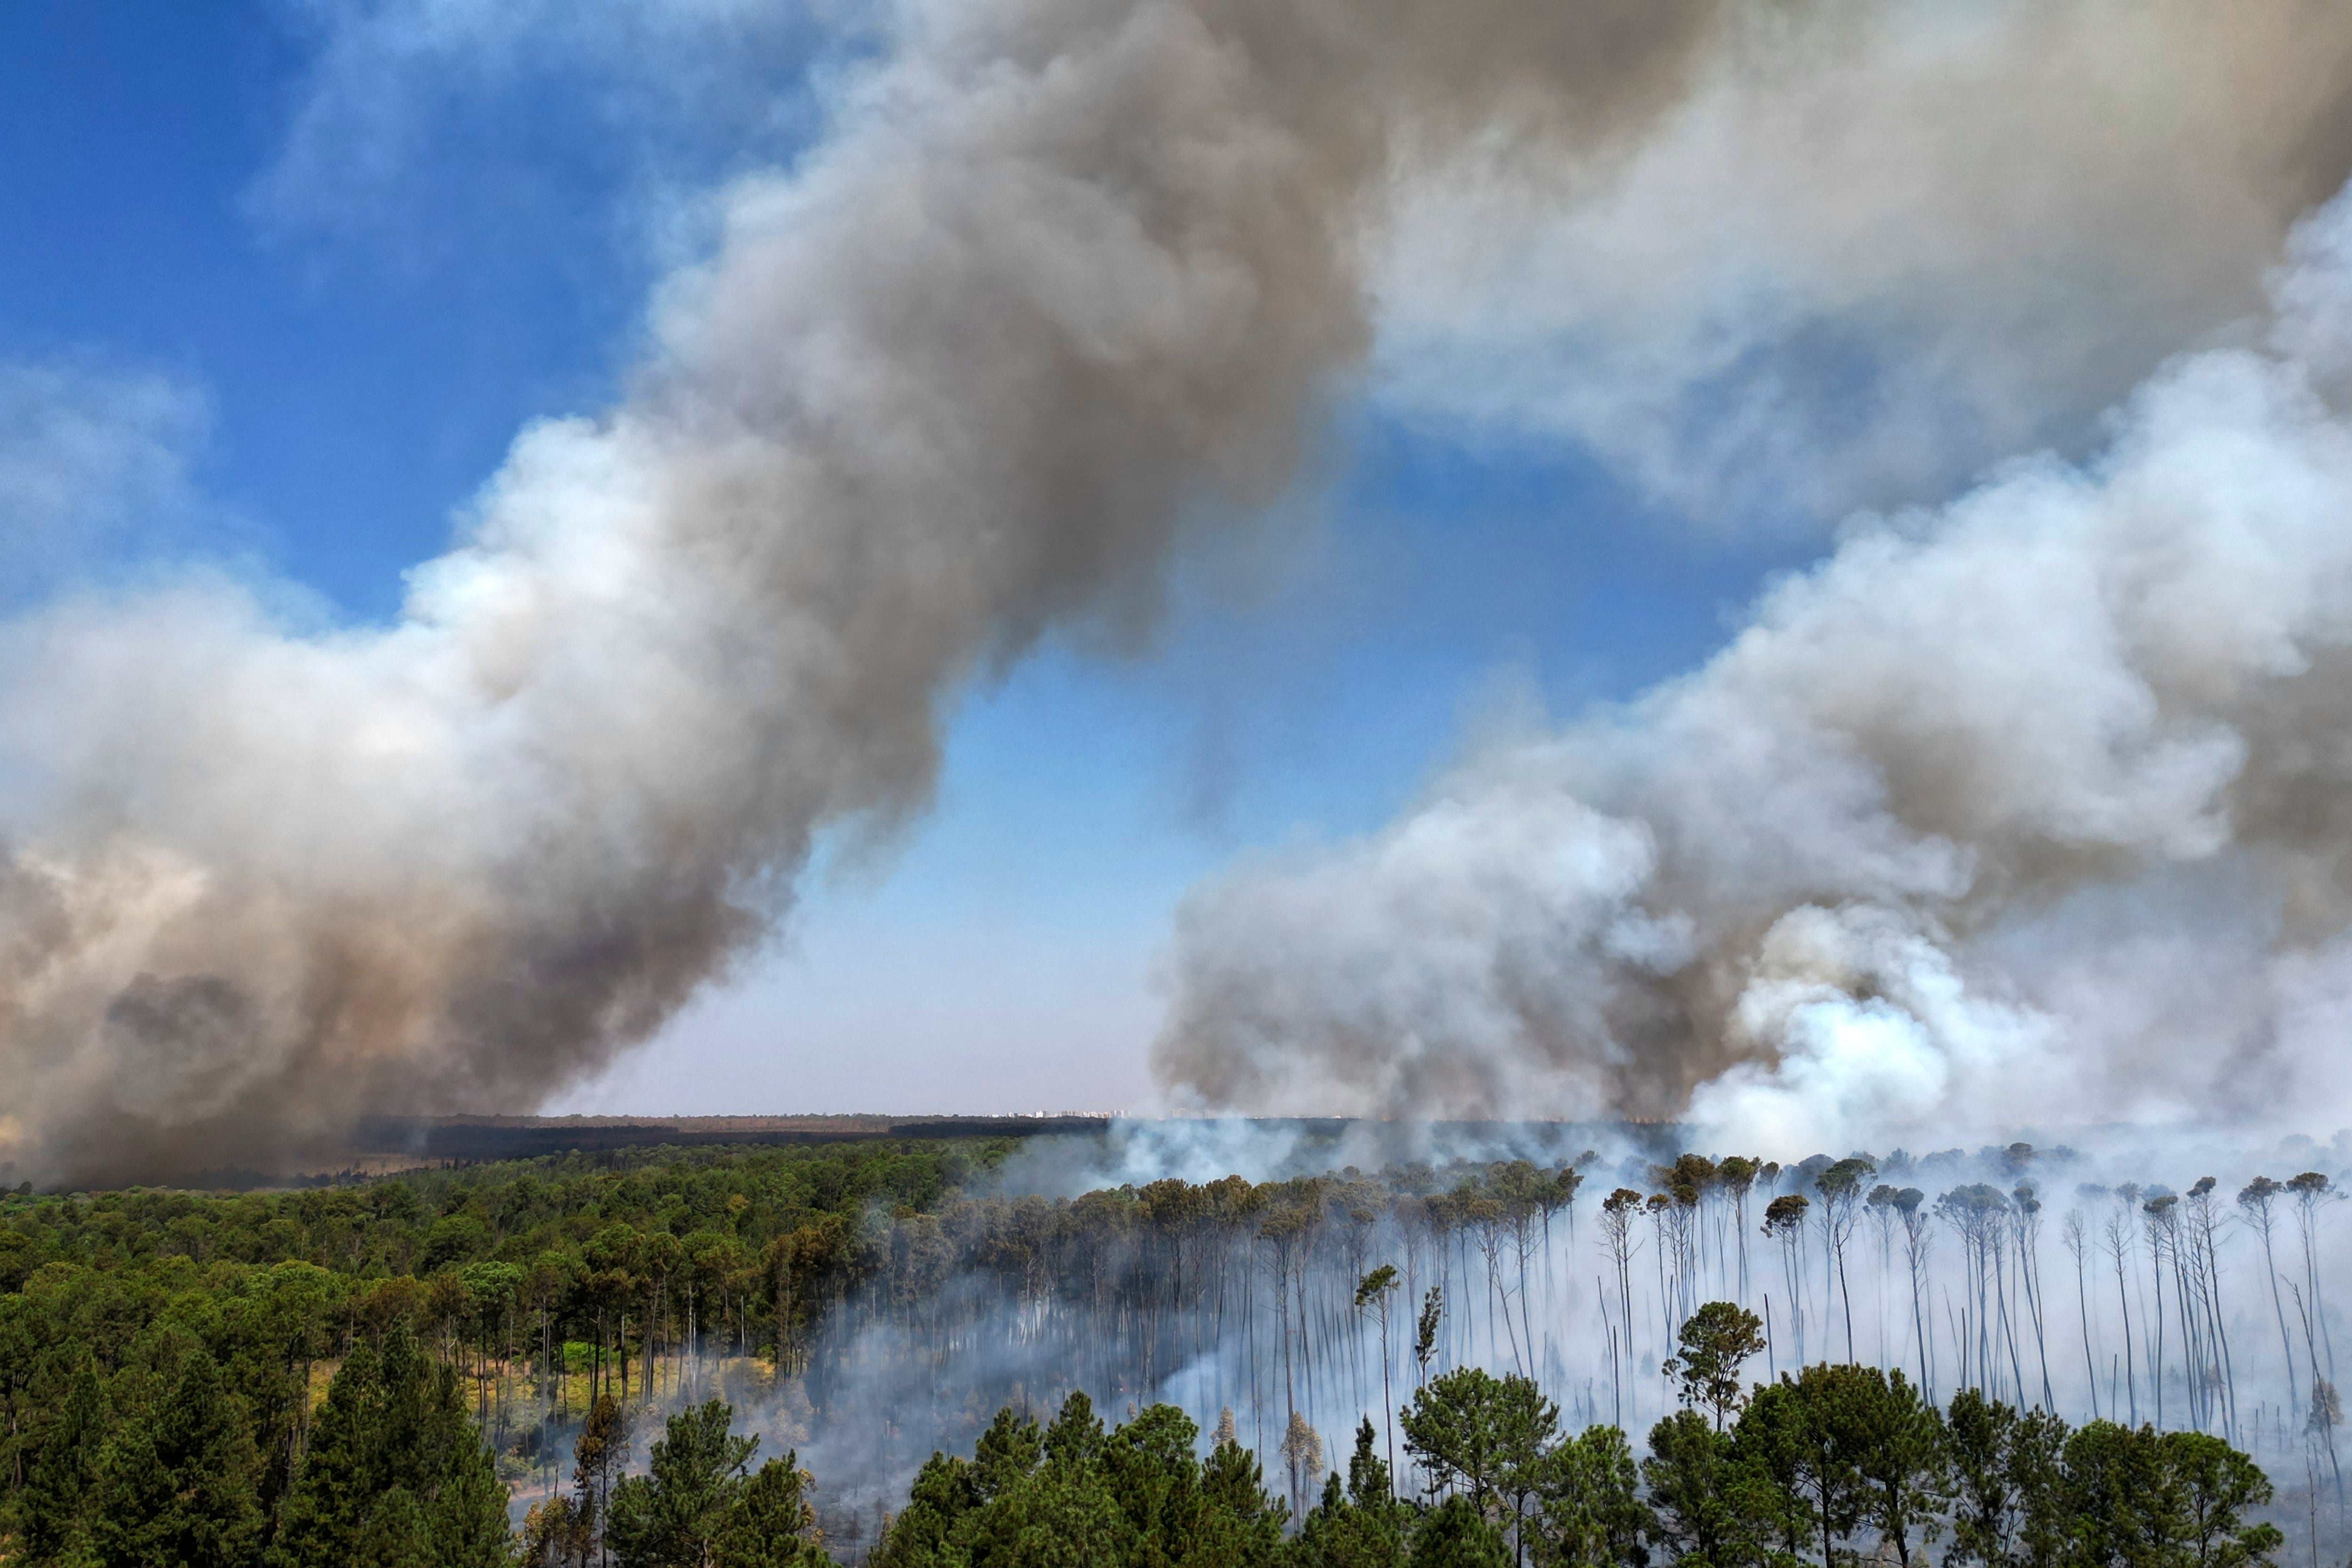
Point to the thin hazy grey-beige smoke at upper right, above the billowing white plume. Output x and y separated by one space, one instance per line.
1873 248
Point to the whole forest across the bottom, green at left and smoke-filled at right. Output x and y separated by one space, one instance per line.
568 1362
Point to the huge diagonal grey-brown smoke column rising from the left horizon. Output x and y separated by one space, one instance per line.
1064 281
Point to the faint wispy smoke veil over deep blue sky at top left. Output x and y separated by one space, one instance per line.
653 91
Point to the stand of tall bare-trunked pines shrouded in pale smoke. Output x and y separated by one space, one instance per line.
1238 1304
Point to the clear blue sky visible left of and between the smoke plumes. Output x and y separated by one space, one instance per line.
356 283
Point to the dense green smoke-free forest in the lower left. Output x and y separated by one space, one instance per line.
225 1348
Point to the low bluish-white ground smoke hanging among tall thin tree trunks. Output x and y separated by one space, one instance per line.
2047 1278
